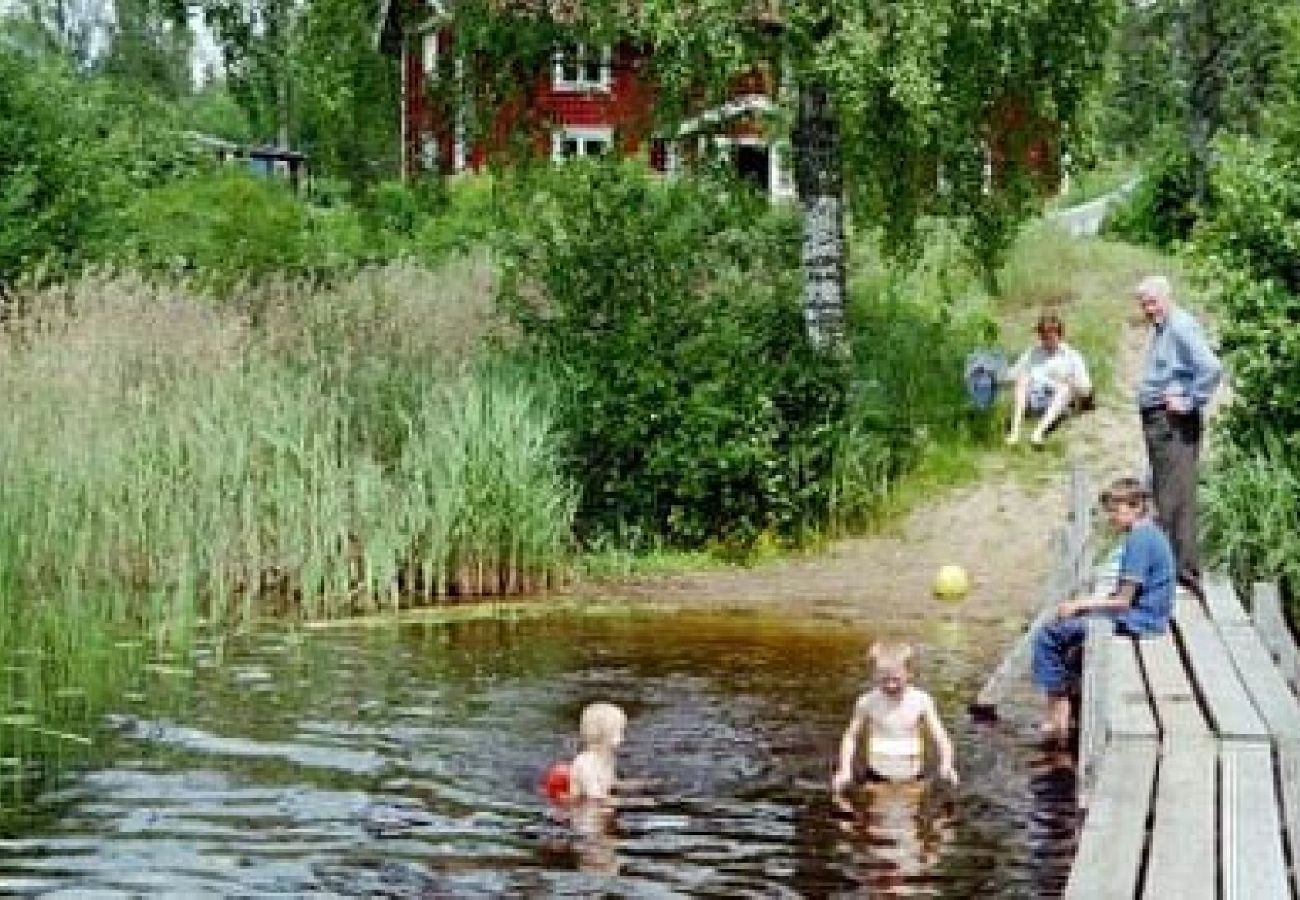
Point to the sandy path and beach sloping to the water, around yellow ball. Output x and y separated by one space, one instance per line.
999 529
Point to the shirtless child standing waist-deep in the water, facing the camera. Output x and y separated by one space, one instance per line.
892 713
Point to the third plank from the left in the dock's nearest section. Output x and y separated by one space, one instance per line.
1254 860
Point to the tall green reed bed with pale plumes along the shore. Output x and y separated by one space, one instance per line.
313 456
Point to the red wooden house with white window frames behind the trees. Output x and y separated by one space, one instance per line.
588 101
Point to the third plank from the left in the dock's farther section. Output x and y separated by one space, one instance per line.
1221 691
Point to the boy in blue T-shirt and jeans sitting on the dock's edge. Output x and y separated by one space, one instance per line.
1141 603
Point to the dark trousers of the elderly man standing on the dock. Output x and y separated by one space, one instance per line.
1175 449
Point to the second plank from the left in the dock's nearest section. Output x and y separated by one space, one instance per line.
1182 860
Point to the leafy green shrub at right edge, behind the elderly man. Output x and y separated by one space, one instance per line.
1249 248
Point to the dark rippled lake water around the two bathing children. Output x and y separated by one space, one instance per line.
404 763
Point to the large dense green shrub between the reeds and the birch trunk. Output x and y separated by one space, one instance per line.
695 409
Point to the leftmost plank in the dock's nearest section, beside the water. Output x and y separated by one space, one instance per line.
1115 832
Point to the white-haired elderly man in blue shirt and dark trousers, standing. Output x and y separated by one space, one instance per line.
1180 377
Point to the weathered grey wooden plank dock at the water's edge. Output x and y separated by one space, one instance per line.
1190 756
